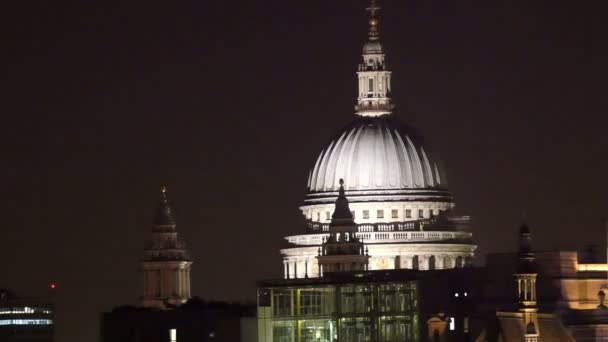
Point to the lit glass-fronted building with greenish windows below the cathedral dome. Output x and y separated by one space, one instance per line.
339 313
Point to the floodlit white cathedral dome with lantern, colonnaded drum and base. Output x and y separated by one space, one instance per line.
395 185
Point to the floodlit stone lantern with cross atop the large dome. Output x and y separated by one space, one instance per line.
374 77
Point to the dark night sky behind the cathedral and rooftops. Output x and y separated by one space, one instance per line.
229 103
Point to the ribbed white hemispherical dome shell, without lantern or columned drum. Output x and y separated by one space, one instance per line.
376 153
